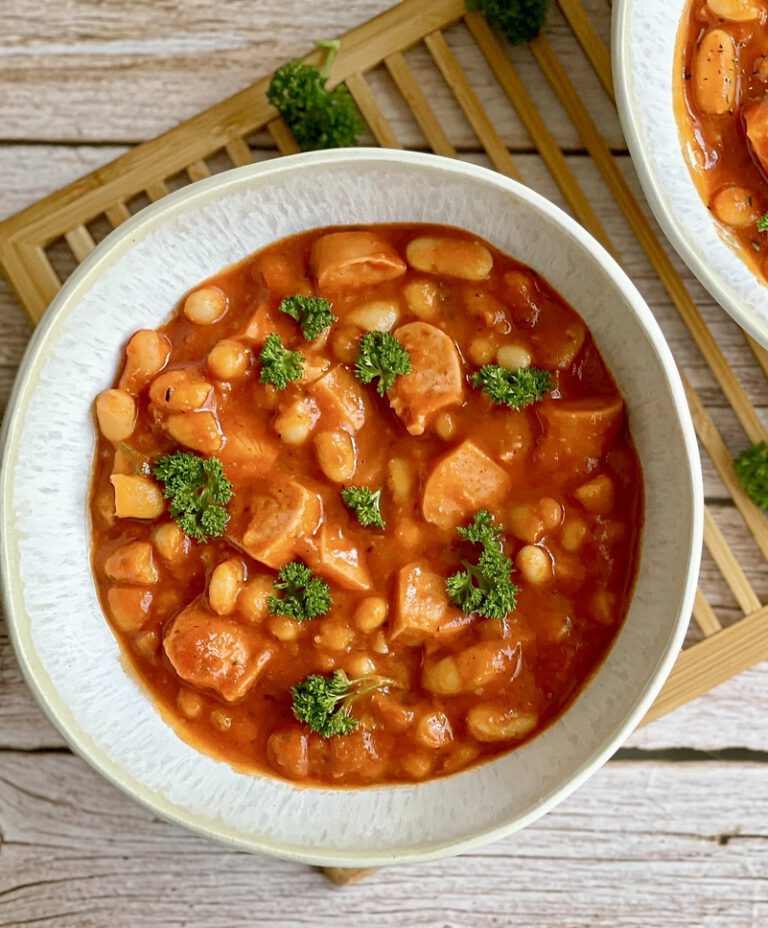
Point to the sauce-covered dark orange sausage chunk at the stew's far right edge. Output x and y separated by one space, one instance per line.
577 432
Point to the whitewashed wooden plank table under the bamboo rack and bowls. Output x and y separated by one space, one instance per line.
672 832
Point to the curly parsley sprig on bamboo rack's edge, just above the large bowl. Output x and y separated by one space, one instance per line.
318 118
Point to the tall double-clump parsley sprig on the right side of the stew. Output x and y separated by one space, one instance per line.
485 587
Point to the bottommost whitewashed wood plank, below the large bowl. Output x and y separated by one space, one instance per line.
631 848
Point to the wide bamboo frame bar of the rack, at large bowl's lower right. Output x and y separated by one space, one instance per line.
713 661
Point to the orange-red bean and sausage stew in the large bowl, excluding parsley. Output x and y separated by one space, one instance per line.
561 476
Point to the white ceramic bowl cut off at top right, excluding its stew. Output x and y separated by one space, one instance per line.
644 39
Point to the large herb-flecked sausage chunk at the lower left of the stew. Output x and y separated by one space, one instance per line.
215 652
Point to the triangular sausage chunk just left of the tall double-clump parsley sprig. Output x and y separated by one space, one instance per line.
422 607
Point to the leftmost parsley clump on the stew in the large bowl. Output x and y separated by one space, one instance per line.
198 490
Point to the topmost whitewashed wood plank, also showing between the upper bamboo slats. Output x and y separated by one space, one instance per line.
71 71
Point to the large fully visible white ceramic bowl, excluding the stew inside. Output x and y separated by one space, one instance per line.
65 647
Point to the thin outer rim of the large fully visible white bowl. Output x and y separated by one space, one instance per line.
56 710
